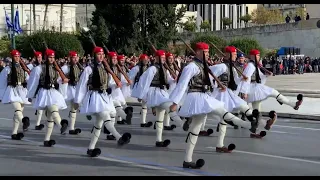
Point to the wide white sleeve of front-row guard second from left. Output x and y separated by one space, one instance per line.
33 81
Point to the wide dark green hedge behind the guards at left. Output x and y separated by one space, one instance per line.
61 43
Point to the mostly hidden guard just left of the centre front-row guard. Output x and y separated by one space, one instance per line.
135 74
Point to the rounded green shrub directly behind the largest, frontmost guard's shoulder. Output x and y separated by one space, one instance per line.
209 38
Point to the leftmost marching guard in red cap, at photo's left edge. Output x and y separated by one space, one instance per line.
13 82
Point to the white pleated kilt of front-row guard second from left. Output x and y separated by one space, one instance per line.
49 97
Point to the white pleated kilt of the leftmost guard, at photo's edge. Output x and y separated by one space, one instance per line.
17 94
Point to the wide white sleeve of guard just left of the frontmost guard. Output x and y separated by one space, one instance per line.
144 83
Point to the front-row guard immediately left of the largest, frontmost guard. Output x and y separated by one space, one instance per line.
152 89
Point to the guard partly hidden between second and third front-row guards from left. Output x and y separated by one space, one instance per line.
72 71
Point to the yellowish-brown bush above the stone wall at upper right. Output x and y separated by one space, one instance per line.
264 16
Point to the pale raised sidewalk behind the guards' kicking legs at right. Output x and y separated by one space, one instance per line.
308 110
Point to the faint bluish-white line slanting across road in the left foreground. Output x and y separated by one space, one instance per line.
131 161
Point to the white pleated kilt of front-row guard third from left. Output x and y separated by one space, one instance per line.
95 102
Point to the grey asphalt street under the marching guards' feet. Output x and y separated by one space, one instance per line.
291 148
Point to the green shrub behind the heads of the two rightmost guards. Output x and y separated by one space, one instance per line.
246 44
